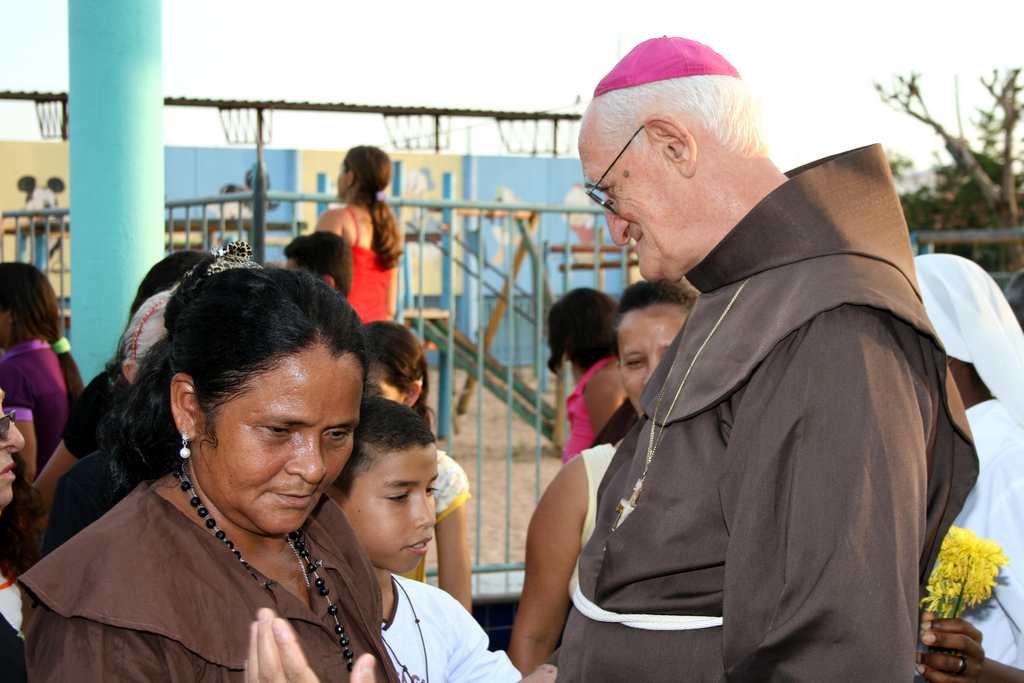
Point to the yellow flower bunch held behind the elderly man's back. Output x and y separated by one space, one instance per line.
965 573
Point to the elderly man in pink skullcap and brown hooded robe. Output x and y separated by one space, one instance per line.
776 514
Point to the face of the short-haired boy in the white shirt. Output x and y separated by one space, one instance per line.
392 508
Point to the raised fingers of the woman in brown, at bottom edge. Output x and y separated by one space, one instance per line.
276 657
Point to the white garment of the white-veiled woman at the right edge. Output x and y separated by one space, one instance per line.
996 510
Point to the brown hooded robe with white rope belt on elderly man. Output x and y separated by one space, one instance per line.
815 460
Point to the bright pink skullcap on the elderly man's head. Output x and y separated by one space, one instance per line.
664 59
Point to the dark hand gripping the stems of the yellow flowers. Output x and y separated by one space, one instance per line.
955 635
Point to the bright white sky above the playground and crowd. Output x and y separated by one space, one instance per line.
814 63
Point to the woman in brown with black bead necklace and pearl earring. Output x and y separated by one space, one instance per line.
237 423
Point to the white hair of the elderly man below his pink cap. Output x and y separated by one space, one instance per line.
726 108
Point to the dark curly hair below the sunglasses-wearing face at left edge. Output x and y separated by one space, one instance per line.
20 526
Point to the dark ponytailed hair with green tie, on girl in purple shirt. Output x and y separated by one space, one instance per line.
28 294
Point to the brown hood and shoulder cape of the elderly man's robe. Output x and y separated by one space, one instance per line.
868 253
